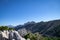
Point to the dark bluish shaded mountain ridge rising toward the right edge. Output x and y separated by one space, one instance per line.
50 28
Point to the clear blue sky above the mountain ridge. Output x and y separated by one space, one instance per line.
15 12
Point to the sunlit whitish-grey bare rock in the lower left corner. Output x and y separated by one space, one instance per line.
10 35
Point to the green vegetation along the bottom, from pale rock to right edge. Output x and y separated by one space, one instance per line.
37 36
